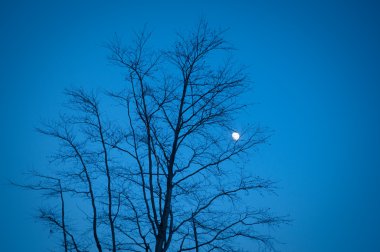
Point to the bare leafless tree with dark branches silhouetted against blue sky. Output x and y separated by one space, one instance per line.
161 174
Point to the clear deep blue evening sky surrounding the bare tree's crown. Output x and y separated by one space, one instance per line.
316 72
